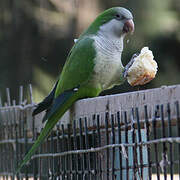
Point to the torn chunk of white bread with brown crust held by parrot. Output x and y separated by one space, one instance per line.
143 69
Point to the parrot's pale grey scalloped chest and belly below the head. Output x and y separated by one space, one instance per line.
108 66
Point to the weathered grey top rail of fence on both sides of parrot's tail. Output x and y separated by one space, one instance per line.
100 105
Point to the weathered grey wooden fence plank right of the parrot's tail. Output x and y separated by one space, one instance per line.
124 102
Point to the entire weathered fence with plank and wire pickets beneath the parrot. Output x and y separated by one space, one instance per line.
126 136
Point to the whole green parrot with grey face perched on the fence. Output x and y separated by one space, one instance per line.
92 66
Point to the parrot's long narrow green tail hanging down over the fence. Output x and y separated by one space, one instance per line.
61 105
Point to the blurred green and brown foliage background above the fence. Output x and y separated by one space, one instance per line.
36 36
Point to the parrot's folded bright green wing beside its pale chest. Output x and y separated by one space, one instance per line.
78 67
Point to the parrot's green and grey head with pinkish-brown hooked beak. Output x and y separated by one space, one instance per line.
116 21
